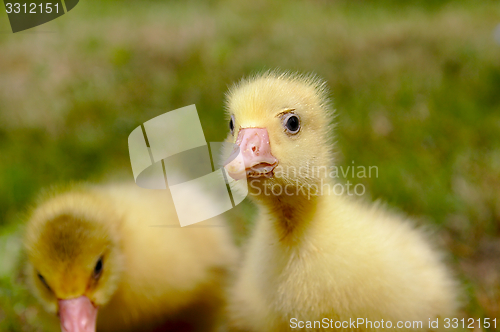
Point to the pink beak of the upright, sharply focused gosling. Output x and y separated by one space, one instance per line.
257 160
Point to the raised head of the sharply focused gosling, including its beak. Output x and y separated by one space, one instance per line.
281 124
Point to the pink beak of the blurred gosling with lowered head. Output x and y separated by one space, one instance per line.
77 315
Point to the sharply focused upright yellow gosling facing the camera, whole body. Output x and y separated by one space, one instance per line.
314 254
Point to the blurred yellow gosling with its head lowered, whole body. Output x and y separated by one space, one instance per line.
94 247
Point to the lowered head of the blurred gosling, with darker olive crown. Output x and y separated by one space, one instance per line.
74 258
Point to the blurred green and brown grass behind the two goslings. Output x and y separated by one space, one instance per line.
416 88
